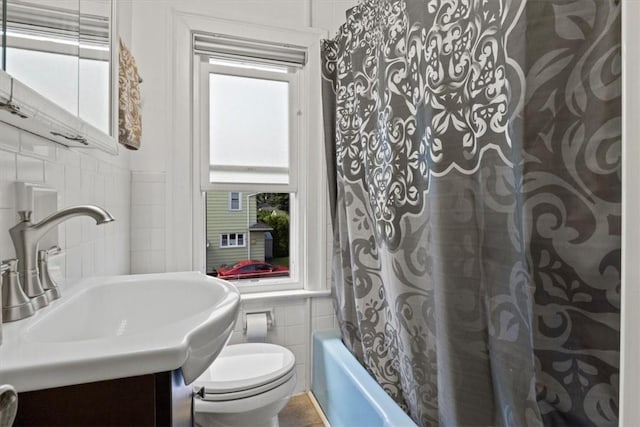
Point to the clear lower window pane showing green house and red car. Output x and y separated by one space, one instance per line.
259 242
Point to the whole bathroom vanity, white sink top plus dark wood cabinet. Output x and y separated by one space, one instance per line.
119 350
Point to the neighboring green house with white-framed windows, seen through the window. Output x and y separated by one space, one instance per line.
233 232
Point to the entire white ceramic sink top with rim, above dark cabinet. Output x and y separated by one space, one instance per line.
120 326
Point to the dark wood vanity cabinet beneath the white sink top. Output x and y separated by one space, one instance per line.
160 399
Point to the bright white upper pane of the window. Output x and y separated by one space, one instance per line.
248 130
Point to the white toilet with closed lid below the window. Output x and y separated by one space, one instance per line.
247 385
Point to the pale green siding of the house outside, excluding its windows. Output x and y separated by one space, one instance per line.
220 220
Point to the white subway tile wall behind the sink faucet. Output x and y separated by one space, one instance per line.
80 177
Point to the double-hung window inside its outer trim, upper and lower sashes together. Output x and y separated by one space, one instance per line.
250 127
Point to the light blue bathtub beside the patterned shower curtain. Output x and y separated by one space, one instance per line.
347 394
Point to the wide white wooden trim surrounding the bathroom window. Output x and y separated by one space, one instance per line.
311 203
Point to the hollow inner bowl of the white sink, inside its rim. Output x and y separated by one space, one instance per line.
136 306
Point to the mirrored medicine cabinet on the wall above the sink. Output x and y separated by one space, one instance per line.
63 50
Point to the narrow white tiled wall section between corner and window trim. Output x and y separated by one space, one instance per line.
148 228
